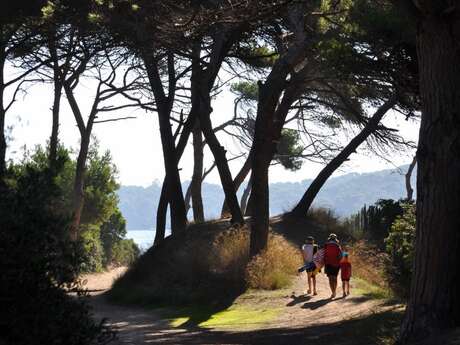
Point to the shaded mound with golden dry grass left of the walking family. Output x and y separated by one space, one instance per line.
208 263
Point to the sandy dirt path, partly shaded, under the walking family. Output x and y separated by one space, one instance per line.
302 318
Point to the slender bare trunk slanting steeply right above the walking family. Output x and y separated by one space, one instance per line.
307 199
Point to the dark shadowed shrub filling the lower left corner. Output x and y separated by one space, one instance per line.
38 262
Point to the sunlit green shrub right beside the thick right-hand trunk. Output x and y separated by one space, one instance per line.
400 246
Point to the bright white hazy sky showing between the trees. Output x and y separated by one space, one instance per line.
135 144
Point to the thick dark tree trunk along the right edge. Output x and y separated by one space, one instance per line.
434 302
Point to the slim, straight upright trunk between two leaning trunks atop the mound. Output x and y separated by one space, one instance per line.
197 177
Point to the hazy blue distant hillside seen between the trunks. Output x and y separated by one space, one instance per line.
344 194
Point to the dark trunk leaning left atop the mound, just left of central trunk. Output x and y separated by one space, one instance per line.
219 156
